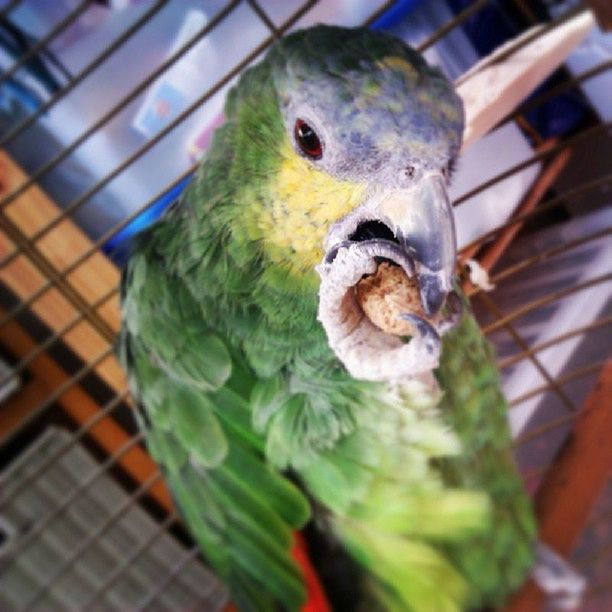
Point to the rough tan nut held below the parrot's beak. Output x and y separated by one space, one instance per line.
388 293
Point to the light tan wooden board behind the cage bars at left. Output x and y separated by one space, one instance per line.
94 278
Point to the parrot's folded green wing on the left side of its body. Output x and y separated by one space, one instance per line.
198 426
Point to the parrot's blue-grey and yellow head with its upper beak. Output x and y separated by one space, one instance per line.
352 137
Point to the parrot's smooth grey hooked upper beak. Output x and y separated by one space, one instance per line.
422 221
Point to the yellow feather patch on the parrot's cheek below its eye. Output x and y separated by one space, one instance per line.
304 202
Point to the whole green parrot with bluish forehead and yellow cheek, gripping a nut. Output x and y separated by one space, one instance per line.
269 399
